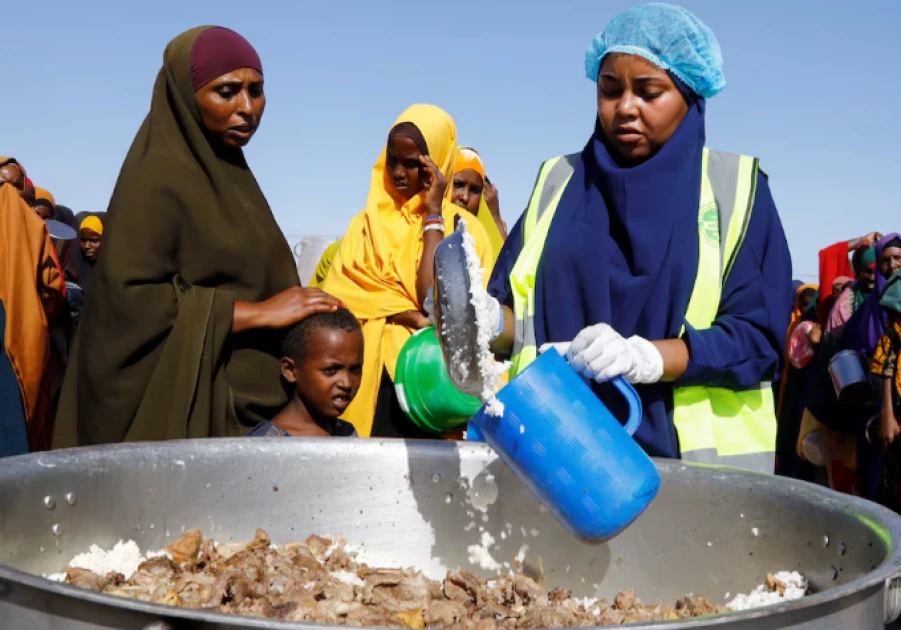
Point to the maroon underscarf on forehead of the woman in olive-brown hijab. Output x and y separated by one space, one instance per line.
218 51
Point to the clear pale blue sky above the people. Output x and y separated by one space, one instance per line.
813 90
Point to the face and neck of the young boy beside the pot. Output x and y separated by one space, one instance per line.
325 381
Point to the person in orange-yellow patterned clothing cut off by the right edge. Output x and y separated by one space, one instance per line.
885 366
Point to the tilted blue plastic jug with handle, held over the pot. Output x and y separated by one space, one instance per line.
563 443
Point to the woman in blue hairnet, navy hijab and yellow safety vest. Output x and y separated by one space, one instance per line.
649 256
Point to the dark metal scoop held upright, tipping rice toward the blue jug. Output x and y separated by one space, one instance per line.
455 315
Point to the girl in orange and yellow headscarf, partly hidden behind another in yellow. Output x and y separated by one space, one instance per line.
473 191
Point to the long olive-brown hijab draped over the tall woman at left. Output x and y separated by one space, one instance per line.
188 233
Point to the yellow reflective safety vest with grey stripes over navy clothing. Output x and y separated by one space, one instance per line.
714 425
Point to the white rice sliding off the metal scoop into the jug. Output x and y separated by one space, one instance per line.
489 369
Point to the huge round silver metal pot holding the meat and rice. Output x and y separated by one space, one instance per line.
711 531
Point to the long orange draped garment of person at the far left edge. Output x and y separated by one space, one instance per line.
31 289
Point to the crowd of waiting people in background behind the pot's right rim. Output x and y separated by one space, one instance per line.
848 441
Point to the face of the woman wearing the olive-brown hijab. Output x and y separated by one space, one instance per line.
231 107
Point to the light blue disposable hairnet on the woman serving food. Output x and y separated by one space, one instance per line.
669 37
